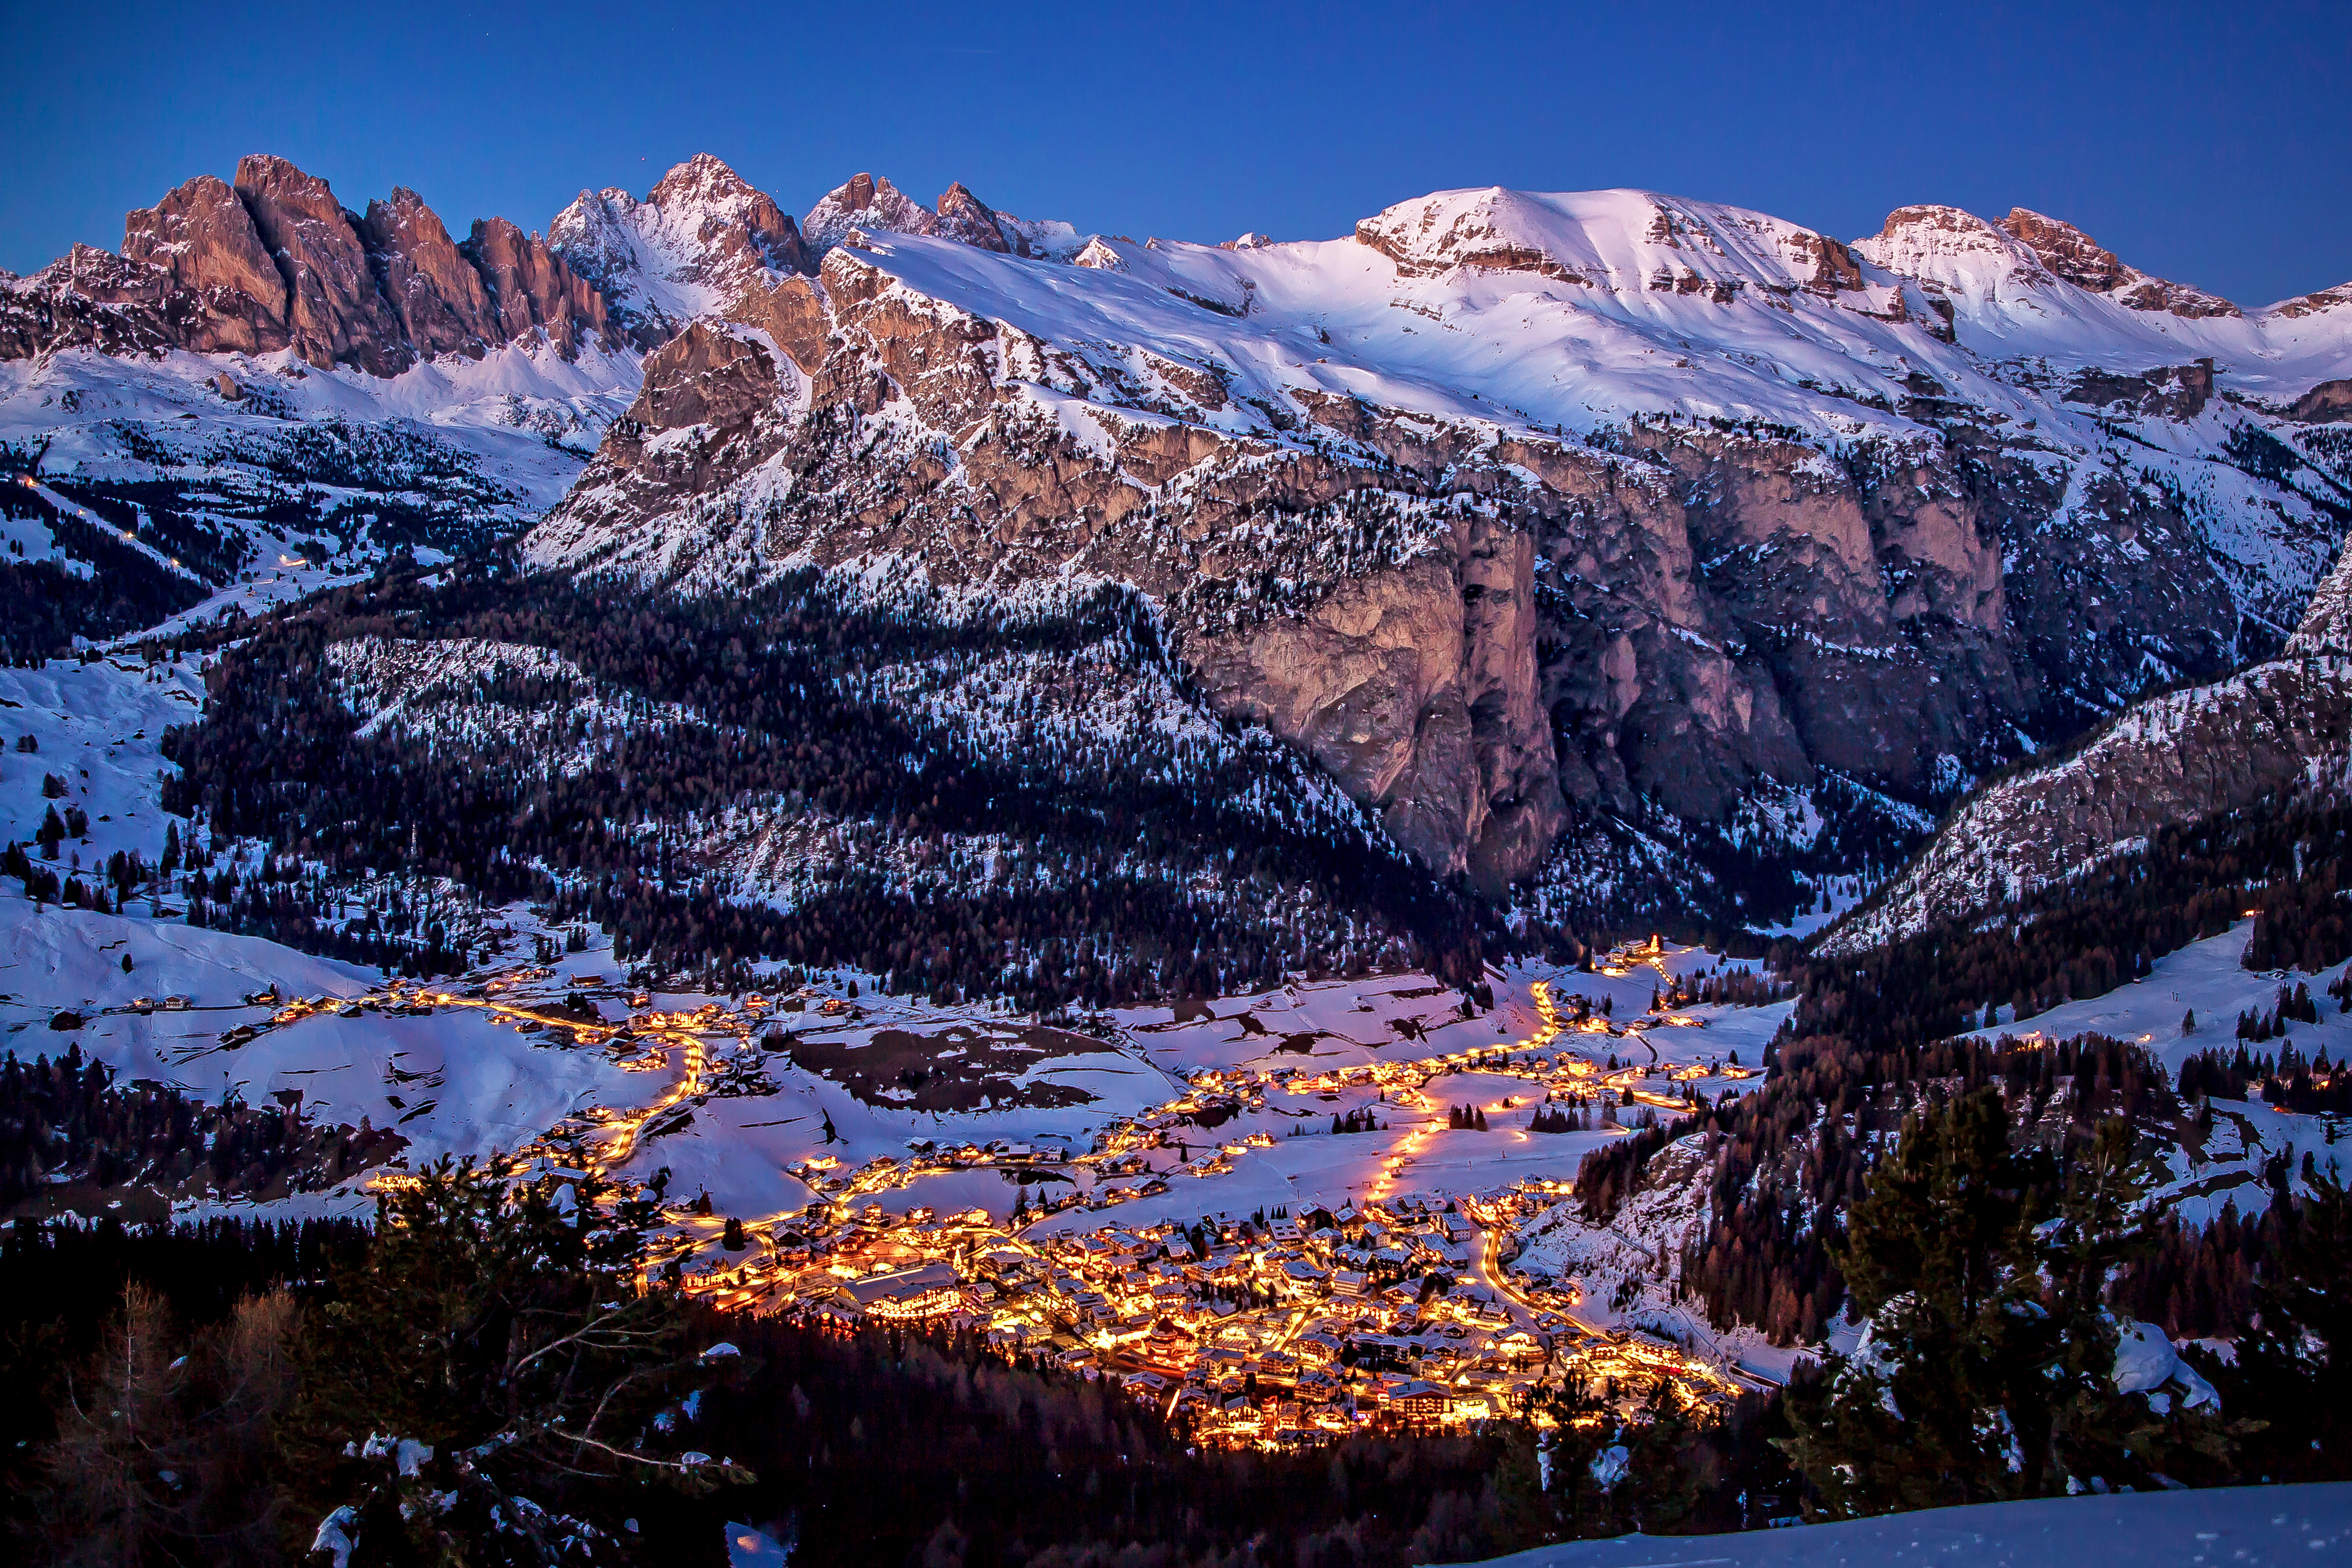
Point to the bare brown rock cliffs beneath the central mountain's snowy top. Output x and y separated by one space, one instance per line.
1469 634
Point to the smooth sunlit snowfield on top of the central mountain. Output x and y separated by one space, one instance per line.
1582 309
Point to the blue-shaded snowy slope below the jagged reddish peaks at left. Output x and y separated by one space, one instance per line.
255 478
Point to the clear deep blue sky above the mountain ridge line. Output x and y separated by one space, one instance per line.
2203 142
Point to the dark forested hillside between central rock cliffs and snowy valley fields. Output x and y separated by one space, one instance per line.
1024 805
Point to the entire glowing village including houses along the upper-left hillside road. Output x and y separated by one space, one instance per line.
1125 1259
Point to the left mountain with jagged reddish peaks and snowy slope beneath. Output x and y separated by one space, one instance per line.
265 391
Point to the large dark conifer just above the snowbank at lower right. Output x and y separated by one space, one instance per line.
1989 1358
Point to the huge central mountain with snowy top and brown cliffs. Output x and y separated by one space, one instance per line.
1530 509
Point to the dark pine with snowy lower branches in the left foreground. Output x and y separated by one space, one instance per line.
502 1325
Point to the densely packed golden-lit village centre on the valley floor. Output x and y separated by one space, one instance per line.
1264 1329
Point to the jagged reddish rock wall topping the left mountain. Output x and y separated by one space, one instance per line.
276 262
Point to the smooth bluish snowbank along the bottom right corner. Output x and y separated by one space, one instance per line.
2233 1527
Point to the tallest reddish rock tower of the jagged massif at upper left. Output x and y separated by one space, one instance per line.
335 311
